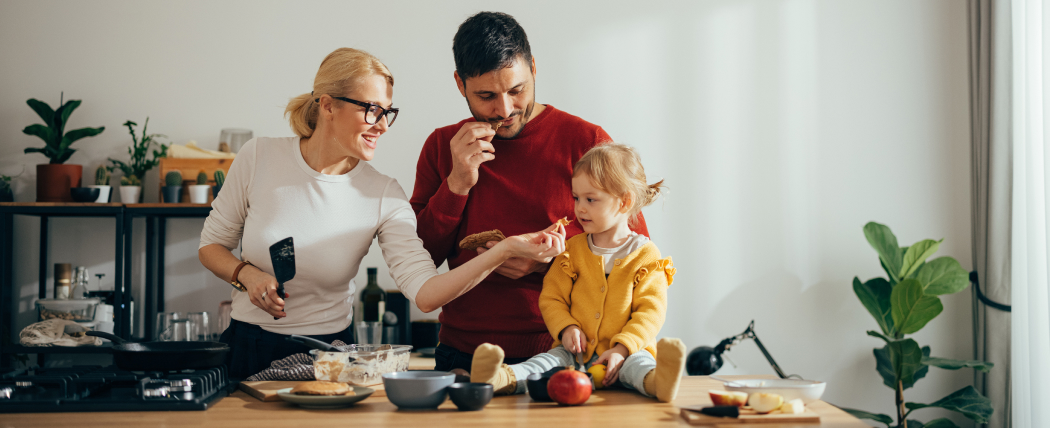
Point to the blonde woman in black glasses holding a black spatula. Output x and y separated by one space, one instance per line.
319 188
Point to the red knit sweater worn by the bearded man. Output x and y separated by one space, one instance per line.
527 188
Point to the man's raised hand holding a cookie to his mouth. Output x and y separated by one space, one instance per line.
471 147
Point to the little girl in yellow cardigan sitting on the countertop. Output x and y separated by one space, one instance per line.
604 299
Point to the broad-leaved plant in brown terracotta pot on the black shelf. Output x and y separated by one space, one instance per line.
55 179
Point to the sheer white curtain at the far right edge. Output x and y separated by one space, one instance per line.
1031 267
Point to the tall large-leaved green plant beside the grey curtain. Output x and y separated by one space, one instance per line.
904 304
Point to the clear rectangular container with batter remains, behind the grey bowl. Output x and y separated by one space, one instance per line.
368 368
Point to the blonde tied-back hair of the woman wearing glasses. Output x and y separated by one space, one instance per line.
341 71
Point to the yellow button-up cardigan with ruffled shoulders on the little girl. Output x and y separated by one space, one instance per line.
628 308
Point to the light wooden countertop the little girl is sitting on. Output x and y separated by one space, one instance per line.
606 409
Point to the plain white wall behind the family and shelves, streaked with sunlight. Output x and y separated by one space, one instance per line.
782 129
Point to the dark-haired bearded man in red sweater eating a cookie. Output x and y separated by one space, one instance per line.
517 179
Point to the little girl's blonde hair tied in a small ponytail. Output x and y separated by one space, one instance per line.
617 169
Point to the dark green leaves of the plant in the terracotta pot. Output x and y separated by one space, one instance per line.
57 141
